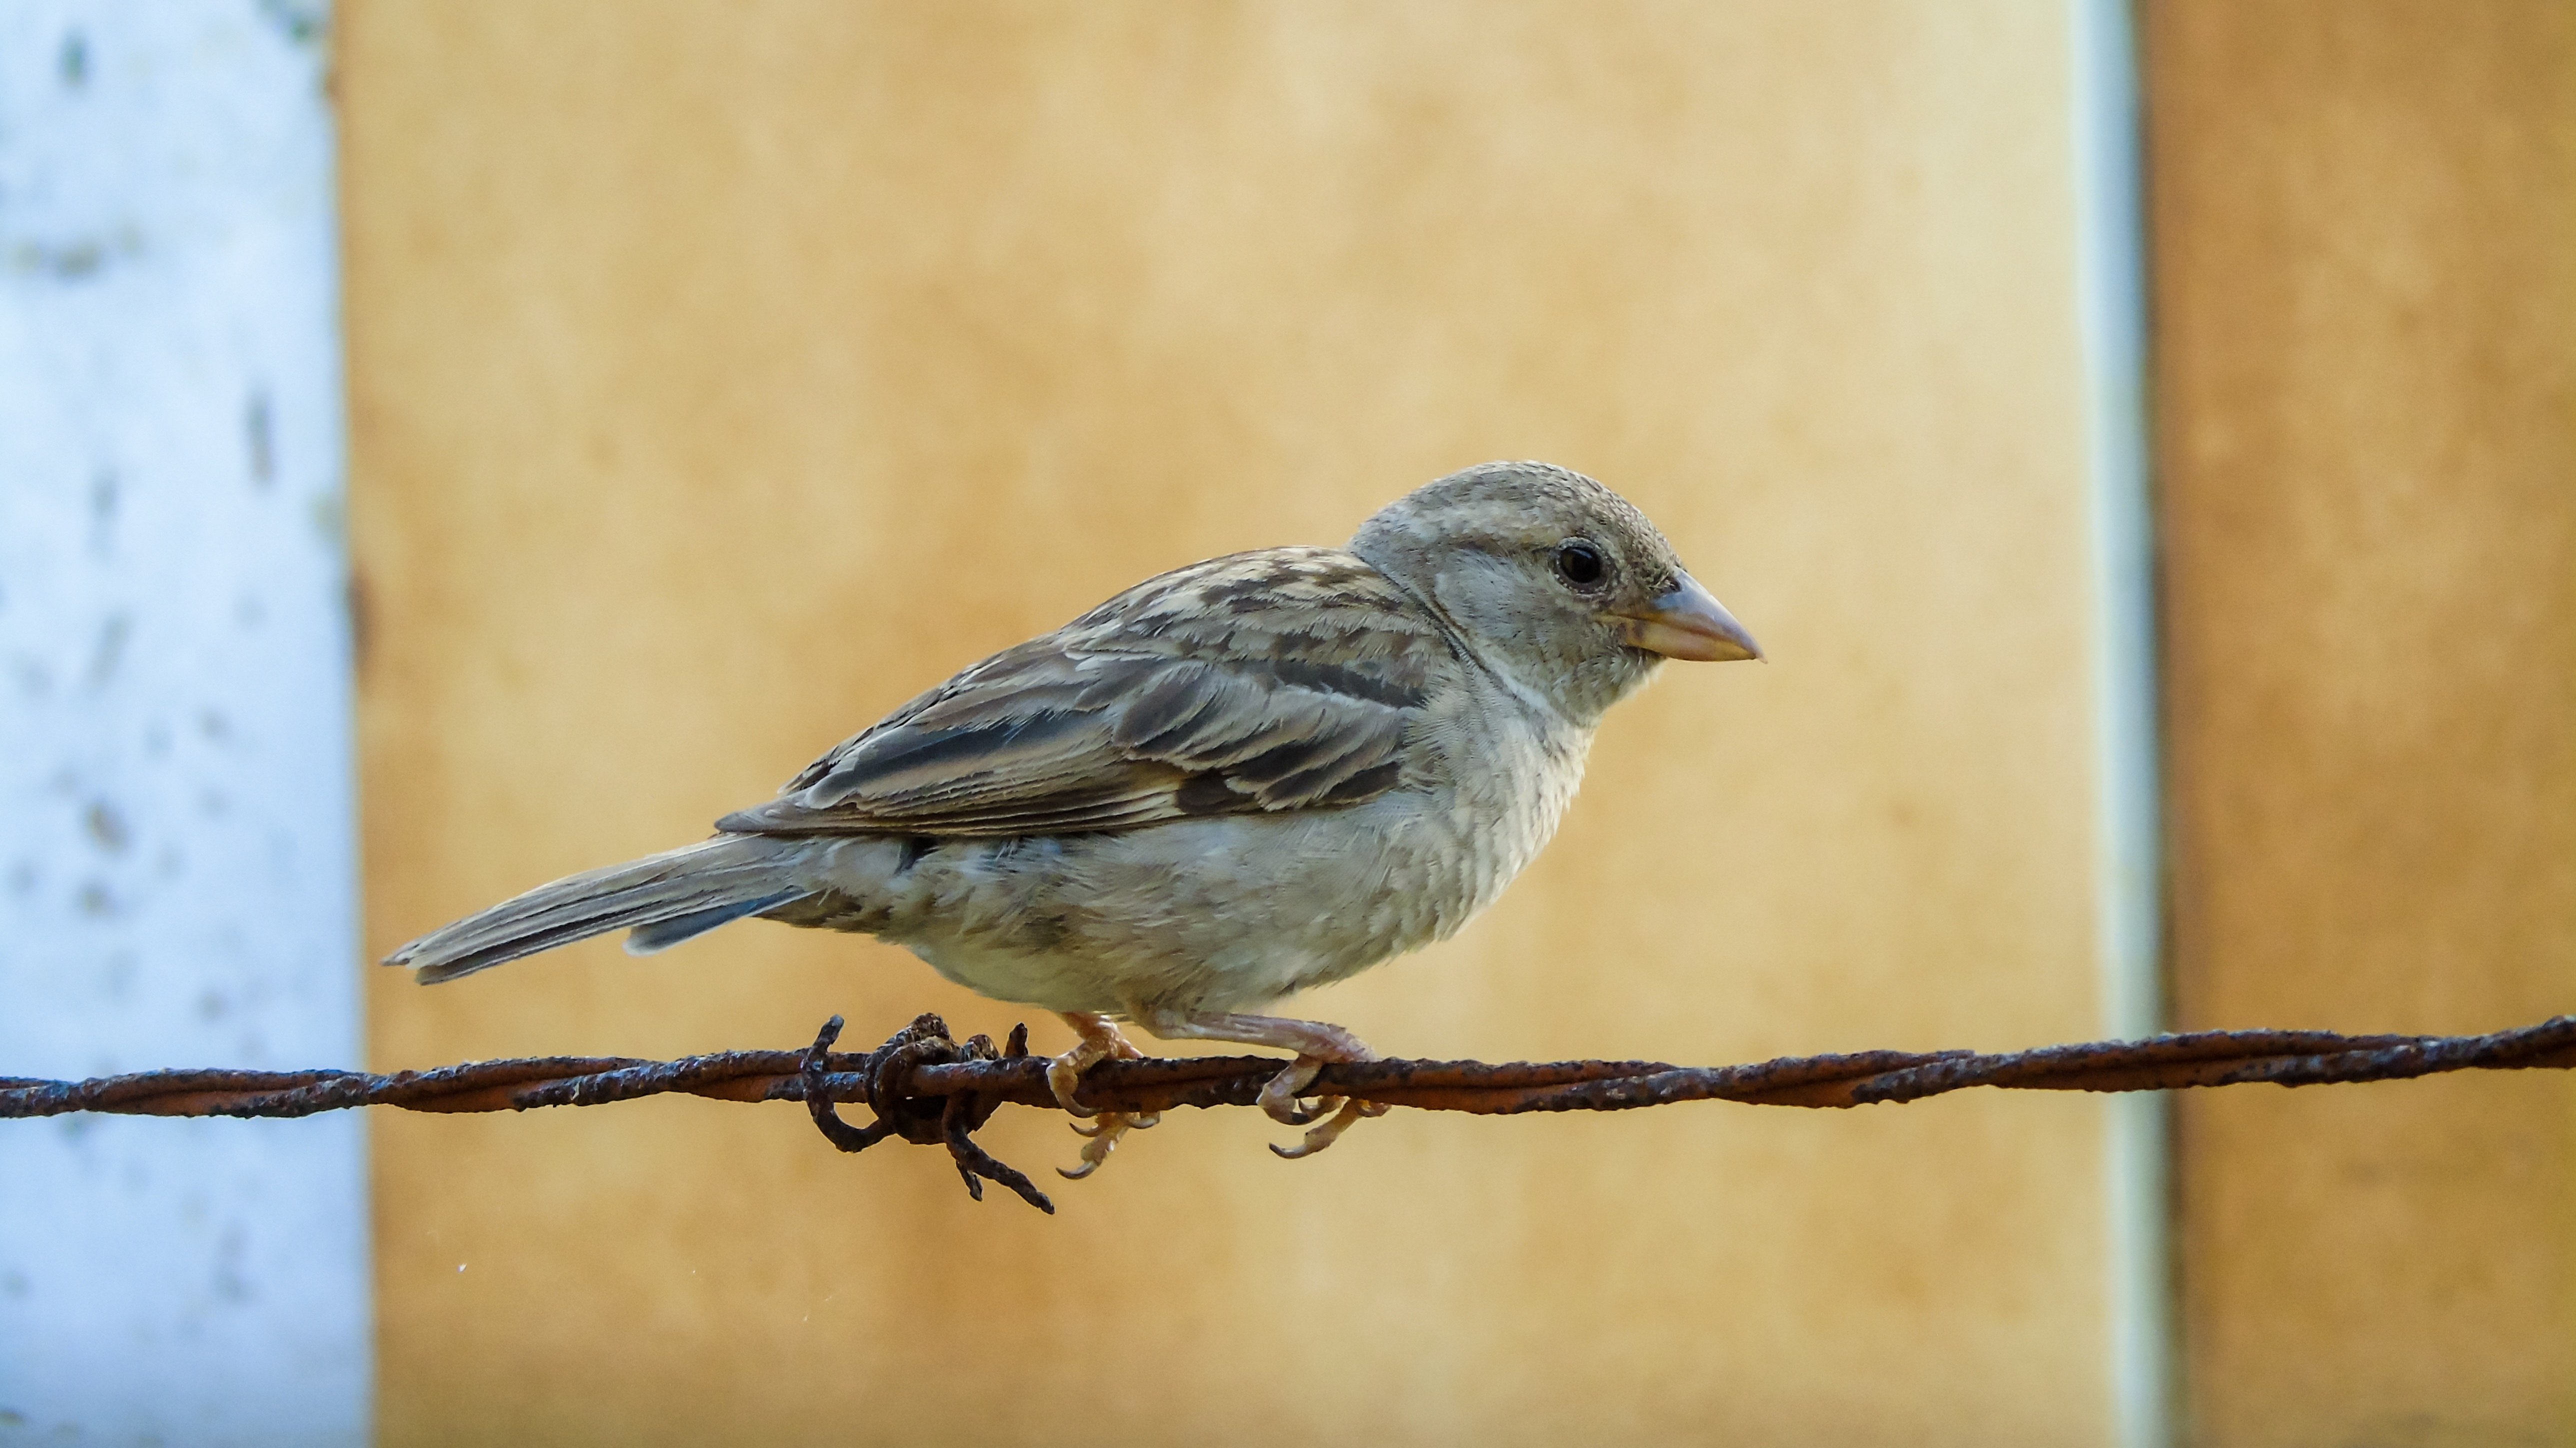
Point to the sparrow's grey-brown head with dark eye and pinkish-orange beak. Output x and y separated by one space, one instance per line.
1555 581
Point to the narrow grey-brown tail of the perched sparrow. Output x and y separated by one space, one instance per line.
661 898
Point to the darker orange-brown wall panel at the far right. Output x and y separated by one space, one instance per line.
2366 269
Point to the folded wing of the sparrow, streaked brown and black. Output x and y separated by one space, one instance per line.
1248 684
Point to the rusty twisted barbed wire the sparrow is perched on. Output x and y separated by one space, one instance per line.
931 1089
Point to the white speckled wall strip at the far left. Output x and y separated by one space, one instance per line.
176 841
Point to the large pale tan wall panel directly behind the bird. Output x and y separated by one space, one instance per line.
723 375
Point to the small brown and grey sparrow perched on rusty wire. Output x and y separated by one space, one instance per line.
1227 785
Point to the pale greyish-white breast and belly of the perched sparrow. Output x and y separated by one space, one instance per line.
1222 913
